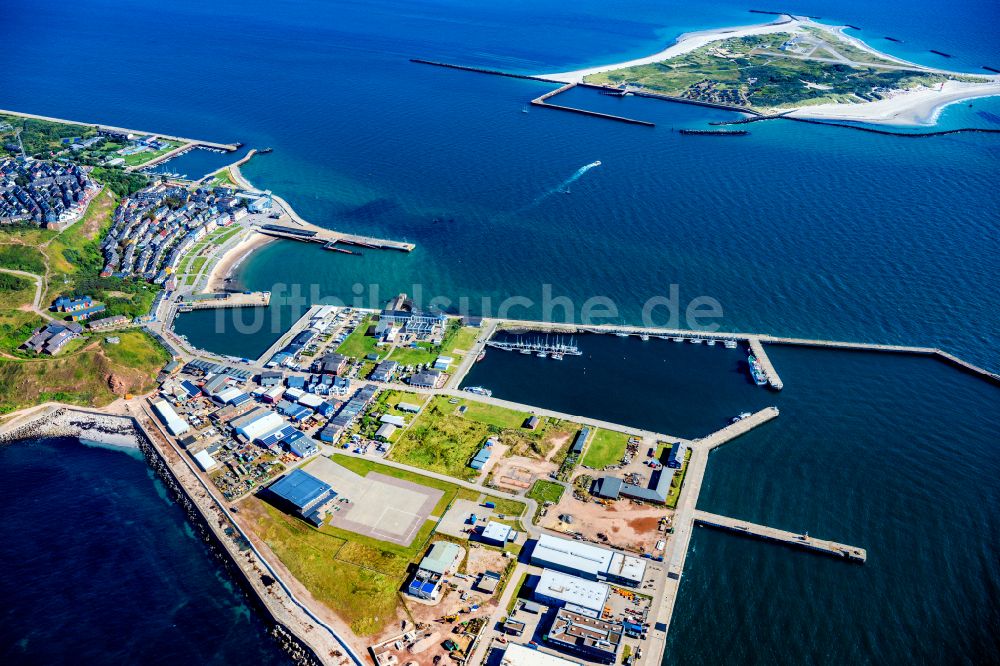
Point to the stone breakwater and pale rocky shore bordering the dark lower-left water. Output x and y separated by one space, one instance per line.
124 431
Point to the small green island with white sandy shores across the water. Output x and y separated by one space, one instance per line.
795 67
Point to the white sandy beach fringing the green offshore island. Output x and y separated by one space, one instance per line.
918 107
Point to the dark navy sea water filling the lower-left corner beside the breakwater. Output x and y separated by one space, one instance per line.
100 567
